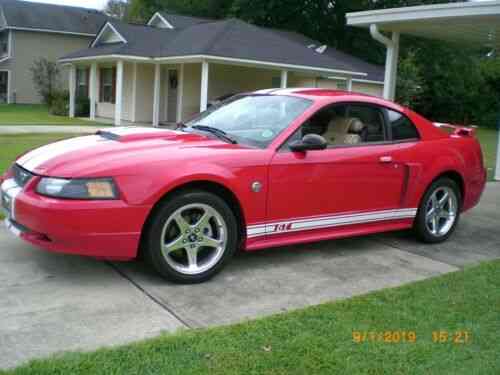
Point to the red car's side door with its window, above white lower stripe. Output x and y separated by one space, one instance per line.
357 182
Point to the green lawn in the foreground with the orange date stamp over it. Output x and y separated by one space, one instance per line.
319 340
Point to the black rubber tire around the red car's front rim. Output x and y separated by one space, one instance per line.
154 232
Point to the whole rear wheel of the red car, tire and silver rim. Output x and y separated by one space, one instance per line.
439 211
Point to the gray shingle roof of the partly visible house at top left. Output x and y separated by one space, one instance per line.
31 15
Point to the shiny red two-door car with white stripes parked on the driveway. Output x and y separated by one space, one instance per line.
270 168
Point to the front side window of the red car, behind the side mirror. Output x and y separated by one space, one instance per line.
343 125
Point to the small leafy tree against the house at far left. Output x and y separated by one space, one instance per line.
45 74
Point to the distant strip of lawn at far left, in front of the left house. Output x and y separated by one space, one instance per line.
21 114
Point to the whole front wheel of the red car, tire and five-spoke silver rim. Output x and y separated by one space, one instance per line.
191 237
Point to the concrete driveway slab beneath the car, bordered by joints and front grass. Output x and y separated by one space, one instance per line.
275 280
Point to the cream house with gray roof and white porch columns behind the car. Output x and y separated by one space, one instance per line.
168 70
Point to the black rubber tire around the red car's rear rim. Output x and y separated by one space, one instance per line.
420 227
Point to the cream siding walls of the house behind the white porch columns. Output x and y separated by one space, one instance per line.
223 79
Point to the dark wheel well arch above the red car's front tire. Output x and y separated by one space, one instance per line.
212 187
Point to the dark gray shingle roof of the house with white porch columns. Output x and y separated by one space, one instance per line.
231 38
